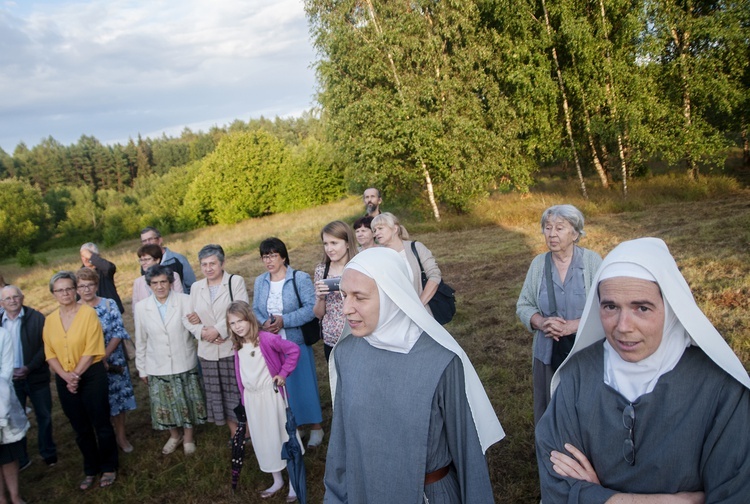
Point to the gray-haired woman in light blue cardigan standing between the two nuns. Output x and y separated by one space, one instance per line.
553 296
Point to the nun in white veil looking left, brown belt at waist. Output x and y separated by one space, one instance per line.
411 420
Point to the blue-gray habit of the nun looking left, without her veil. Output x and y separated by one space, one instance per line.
396 418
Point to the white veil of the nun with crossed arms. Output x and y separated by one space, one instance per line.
652 256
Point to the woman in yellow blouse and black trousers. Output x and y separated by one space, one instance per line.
74 349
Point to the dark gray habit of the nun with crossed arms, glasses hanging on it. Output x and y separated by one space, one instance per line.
692 433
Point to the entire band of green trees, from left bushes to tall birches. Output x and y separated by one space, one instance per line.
437 102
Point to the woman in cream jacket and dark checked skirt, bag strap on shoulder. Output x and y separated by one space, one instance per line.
209 300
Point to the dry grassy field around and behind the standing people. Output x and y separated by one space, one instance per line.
485 256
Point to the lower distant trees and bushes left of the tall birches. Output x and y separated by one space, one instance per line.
55 195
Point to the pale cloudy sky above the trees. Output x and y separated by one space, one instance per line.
115 68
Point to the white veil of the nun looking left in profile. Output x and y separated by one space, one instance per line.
402 320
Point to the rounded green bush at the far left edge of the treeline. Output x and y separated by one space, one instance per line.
23 216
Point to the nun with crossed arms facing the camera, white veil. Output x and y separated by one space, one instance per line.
651 405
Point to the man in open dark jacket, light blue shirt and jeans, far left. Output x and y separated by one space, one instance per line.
30 370
